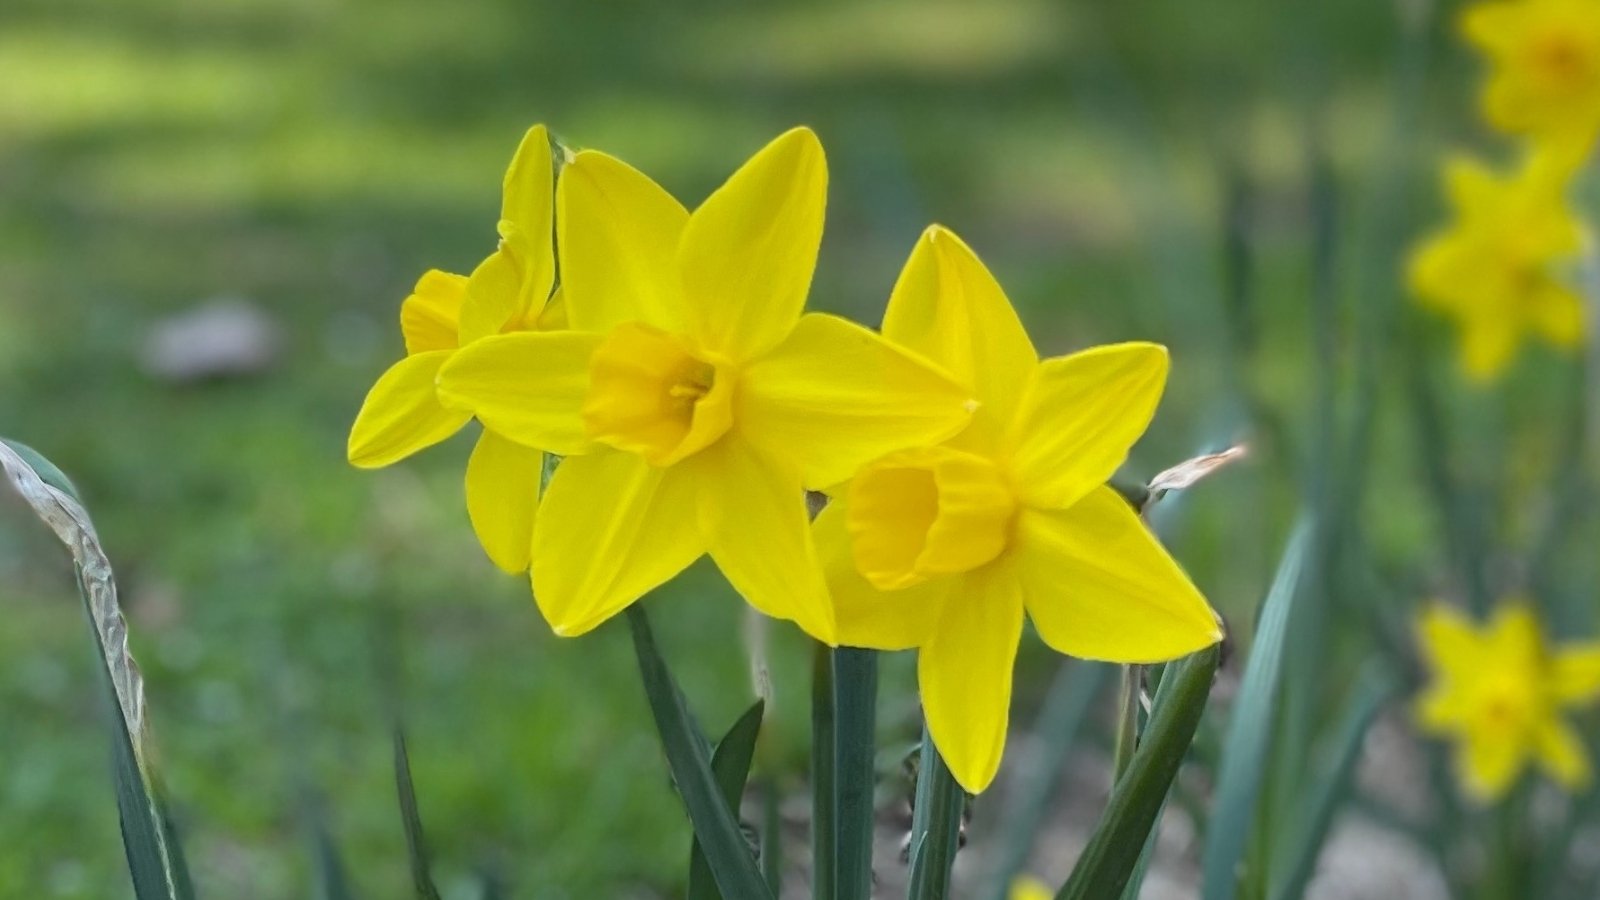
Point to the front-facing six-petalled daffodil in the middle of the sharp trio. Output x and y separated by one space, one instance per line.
692 398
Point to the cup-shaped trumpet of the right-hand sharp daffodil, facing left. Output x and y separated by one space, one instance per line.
929 512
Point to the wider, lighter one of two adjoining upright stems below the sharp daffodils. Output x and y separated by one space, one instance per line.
855 733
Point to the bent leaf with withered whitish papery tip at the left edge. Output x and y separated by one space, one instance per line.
158 872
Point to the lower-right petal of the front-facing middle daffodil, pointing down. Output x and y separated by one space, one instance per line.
753 515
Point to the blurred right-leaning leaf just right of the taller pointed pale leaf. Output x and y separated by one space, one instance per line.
1300 858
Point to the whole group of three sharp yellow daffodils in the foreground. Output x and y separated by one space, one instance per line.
694 403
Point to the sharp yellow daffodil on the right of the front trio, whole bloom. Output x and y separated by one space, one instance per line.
943 547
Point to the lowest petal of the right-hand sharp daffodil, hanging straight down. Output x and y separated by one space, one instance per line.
966 673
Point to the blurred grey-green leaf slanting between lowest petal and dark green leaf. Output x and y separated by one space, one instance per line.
1057 731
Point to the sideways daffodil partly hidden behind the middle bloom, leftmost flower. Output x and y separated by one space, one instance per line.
506 292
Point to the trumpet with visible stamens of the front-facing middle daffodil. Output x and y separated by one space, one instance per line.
655 395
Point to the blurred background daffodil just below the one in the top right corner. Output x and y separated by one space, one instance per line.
1500 268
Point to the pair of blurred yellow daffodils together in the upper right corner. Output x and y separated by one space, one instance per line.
1506 268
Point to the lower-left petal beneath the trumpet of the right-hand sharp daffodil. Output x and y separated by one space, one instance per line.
882 621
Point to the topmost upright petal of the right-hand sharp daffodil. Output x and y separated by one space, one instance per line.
950 308
